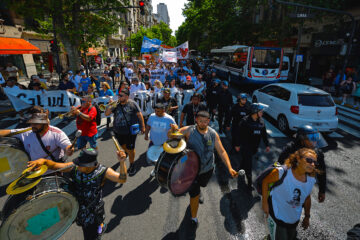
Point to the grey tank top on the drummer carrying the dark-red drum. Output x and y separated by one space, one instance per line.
203 145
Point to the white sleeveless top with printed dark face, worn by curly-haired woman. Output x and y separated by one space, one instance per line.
289 197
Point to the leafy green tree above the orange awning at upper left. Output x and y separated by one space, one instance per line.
76 29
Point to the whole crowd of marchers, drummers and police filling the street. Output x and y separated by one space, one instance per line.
169 85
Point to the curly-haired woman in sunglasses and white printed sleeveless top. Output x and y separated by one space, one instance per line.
283 205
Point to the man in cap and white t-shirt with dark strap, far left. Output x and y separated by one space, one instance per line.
42 140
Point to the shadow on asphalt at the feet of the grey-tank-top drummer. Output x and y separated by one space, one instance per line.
184 232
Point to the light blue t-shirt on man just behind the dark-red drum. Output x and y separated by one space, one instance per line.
159 128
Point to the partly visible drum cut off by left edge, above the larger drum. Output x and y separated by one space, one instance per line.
13 159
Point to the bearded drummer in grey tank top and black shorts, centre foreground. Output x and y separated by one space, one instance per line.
203 140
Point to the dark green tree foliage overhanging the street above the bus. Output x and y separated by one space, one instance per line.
216 23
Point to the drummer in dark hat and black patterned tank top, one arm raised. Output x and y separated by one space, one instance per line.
87 177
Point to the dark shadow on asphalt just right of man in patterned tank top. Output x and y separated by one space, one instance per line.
124 206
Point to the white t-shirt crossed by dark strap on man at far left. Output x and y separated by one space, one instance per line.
54 140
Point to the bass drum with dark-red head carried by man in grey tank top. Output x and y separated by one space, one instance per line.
177 172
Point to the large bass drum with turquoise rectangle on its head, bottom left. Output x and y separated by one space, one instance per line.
44 212
